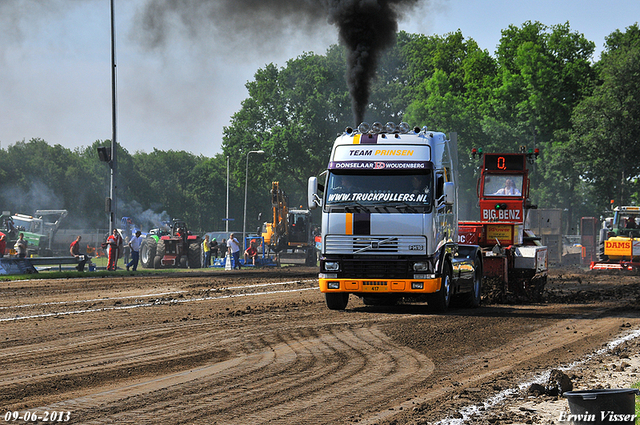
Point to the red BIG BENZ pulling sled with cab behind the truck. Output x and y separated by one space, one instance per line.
512 254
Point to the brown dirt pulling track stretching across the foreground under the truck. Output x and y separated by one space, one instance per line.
261 347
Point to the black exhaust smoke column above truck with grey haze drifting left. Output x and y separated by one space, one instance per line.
366 28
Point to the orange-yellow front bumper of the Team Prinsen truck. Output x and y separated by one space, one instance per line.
381 286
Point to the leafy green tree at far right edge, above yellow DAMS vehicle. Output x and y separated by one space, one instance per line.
606 126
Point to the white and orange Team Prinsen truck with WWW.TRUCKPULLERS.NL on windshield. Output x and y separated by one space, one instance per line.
390 222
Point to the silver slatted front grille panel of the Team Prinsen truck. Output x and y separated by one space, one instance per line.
376 245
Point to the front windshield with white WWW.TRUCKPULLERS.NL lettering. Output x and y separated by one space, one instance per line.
411 192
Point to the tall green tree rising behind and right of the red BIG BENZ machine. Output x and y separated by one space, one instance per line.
543 72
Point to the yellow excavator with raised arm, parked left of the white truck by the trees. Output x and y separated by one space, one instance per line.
290 233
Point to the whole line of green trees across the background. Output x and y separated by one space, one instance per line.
541 88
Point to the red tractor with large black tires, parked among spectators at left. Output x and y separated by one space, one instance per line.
179 248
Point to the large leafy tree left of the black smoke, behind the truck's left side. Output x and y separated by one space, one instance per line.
292 113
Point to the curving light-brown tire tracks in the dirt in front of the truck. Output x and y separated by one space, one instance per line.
294 380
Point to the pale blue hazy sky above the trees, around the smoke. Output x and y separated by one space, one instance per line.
178 93
